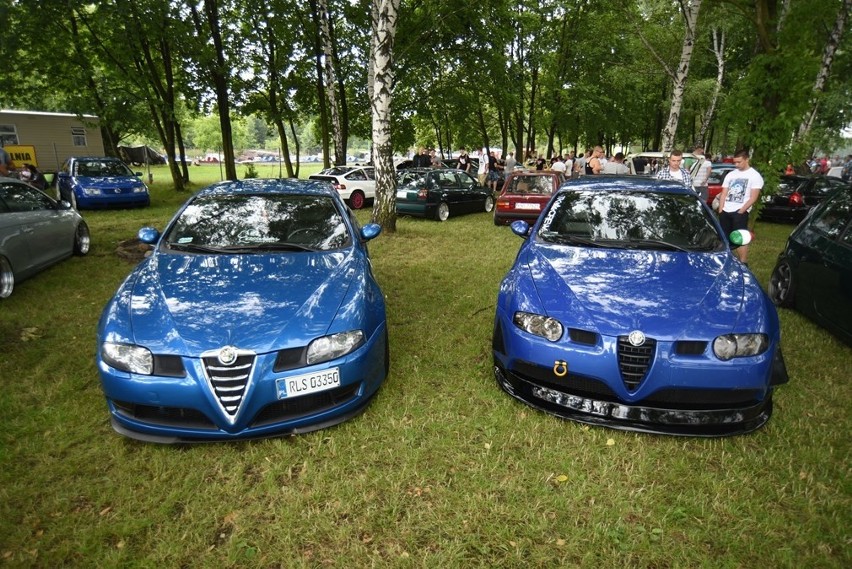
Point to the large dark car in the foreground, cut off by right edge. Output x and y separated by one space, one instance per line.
814 273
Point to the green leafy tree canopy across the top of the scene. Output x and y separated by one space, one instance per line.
549 77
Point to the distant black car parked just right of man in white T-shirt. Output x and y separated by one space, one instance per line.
796 195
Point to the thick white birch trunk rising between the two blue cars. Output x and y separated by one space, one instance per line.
385 14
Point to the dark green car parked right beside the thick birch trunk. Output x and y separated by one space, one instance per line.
439 193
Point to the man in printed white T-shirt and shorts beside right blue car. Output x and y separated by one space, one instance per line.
740 190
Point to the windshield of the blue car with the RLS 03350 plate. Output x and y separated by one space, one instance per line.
228 223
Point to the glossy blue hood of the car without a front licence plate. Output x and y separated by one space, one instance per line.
665 294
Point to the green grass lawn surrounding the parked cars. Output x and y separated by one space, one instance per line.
442 470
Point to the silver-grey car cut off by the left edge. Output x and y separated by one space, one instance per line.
35 232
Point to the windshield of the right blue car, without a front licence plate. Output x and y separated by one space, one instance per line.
630 219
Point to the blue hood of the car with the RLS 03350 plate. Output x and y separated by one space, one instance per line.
187 304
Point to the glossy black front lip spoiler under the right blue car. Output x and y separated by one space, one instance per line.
677 422
